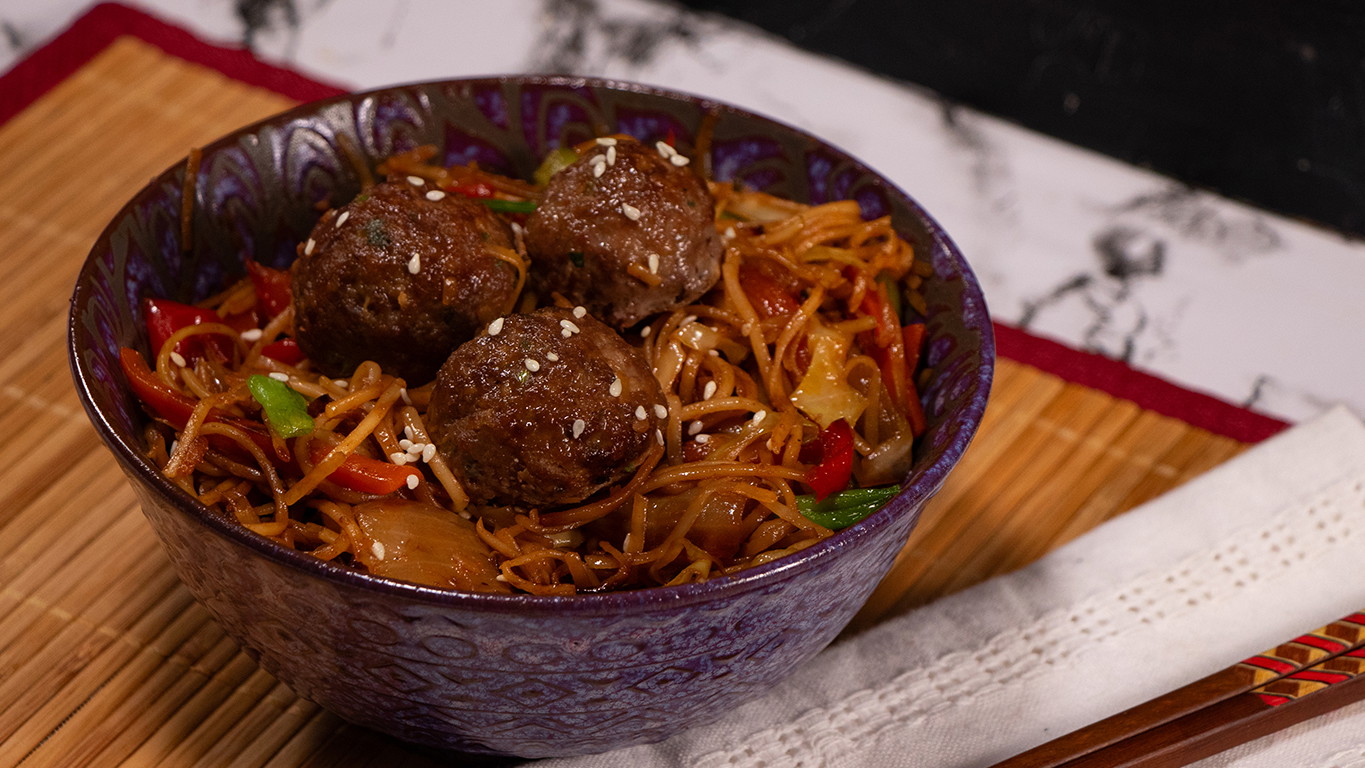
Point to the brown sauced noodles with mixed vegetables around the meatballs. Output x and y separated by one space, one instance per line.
794 339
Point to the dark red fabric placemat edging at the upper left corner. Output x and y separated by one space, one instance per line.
102 25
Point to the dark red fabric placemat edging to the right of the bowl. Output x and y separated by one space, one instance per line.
1123 381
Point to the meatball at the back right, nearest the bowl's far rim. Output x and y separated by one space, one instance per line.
627 233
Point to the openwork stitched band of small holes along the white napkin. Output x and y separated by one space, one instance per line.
1293 538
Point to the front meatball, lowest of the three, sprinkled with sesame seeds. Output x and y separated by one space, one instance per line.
544 410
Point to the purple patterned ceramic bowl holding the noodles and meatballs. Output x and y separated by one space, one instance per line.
489 673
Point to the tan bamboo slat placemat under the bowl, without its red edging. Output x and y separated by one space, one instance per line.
107 661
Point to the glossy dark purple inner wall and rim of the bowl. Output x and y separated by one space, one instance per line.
259 190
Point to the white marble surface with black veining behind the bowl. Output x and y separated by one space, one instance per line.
1199 290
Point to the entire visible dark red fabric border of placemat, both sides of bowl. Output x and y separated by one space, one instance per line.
103 24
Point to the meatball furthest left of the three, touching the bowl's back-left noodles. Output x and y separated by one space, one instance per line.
401 276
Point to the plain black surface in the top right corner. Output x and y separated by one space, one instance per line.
1258 100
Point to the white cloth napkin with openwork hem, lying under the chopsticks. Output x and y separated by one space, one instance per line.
1254 553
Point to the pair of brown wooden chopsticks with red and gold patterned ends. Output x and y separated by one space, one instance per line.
1306 677
